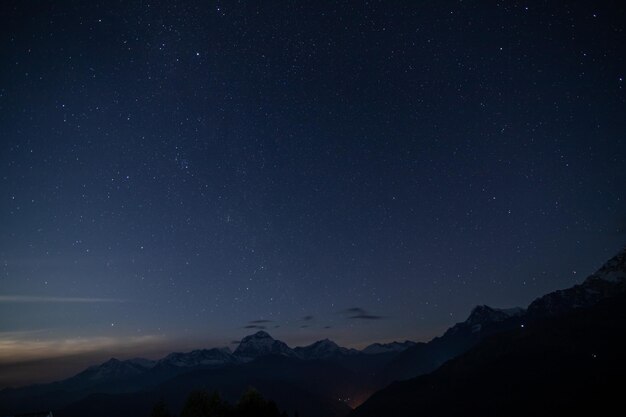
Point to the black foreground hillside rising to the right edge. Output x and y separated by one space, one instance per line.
568 365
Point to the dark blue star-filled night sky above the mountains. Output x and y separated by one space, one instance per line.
179 174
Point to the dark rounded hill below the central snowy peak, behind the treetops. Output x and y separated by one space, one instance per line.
314 388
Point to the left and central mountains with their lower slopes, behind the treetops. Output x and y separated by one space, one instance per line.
323 378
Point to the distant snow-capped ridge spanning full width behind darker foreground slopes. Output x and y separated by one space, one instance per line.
383 364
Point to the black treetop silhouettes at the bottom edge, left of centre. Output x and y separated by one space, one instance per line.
201 403
